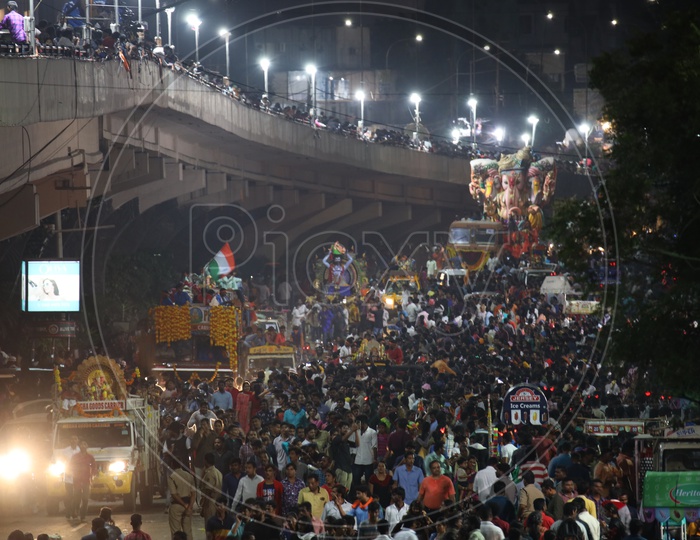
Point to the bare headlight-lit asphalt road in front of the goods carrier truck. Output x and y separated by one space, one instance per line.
155 522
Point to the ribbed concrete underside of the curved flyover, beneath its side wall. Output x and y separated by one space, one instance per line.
274 200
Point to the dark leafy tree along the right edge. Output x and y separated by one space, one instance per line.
648 206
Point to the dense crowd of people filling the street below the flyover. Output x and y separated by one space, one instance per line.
408 444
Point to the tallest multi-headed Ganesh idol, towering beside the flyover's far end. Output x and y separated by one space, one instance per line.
512 192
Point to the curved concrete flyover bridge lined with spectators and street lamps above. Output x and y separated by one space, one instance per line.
76 133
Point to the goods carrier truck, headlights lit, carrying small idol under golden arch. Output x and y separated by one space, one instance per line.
121 431
